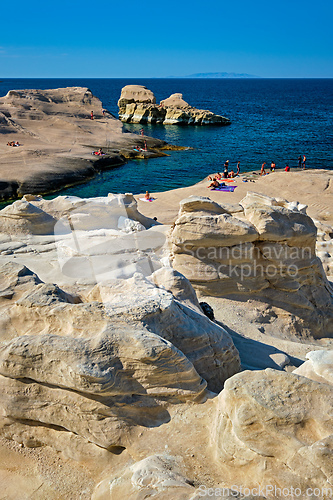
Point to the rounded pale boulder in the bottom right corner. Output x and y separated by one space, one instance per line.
274 428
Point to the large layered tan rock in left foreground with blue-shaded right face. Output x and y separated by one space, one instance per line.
98 365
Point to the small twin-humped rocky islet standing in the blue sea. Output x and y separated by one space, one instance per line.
137 104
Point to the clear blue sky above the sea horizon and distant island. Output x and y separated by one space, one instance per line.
108 39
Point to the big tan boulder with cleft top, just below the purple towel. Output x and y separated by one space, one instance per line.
263 249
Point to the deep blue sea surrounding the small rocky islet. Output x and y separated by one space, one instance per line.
272 119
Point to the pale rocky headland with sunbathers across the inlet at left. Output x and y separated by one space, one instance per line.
57 137
